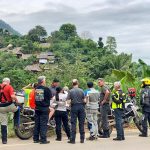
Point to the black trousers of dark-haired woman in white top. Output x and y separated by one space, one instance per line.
61 117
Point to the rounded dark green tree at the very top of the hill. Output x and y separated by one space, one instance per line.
68 30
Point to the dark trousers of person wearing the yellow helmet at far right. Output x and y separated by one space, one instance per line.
146 118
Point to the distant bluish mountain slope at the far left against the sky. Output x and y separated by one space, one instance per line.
4 25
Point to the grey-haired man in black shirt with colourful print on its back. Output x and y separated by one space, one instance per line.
42 101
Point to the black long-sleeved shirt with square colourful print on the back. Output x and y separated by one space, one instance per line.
42 98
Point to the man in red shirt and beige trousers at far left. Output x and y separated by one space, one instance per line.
7 97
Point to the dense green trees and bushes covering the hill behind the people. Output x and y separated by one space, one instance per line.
76 57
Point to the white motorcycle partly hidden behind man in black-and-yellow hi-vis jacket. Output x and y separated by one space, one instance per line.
130 113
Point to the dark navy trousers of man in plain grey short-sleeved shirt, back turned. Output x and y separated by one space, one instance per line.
77 111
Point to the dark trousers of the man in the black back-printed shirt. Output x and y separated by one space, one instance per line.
40 129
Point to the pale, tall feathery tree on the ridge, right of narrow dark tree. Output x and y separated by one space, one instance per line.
111 44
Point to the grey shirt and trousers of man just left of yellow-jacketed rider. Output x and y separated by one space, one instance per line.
104 110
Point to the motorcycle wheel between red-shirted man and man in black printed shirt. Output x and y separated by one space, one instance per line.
21 131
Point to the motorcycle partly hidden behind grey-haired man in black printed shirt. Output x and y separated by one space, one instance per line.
24 130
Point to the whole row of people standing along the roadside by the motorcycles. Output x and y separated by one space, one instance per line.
83 103
